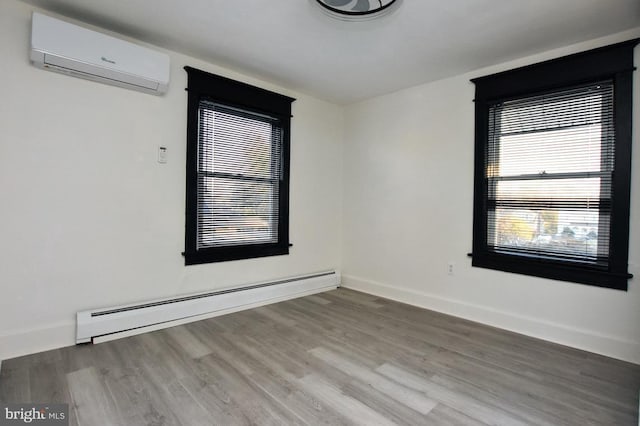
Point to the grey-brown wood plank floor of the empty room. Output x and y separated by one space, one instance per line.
341 357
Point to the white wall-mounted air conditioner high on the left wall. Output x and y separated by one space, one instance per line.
63 47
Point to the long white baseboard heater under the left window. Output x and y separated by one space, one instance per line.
101 323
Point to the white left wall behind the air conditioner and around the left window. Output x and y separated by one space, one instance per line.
88 218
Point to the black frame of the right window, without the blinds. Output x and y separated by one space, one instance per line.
615 63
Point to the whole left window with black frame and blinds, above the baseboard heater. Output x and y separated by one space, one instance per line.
237 203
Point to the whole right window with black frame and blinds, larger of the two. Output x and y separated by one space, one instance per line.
553 168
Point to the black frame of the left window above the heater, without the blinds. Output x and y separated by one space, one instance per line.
234 94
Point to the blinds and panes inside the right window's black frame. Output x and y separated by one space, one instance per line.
550 161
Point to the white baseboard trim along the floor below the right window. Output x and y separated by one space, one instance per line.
587 340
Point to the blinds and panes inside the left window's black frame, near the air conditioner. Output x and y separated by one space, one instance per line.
239 167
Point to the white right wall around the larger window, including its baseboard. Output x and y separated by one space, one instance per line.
408 211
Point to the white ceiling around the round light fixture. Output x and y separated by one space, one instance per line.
294 44
